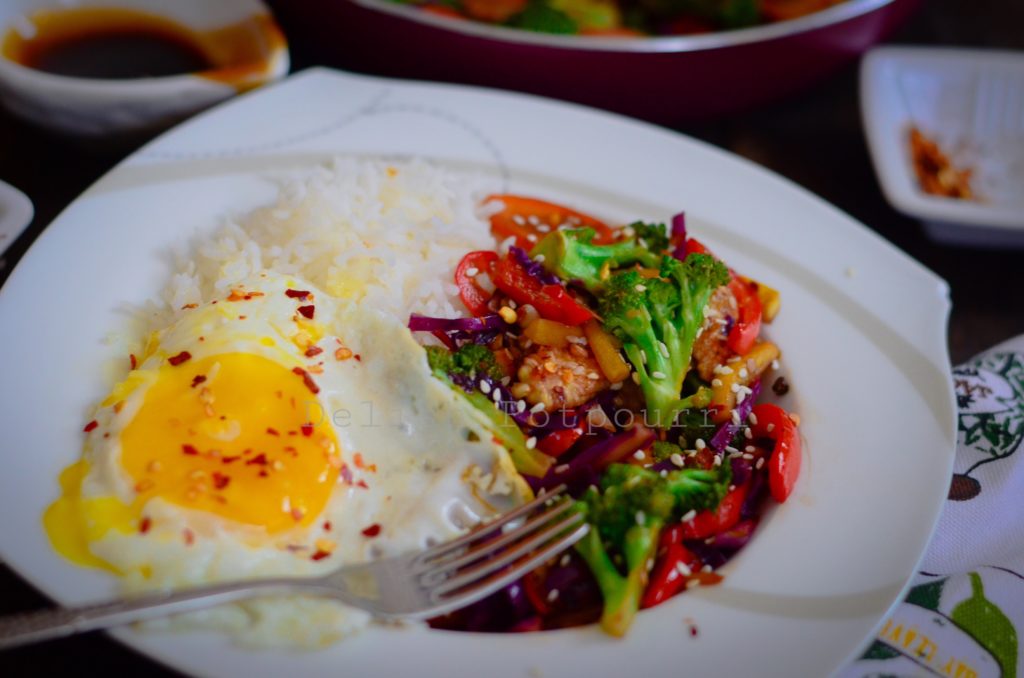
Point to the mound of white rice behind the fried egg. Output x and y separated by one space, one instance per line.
386 234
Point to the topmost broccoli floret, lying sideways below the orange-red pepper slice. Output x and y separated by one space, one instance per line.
571 255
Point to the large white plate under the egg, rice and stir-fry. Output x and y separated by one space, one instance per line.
863 330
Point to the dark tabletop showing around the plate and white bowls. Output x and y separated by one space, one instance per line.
816 140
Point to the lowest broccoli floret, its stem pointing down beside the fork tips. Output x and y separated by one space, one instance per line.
627 516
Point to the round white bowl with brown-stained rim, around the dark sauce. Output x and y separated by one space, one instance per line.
96 108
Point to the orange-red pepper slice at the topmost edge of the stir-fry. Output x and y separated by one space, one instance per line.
516 221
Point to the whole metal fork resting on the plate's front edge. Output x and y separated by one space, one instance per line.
417 585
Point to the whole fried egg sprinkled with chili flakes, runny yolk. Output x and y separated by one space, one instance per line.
271 432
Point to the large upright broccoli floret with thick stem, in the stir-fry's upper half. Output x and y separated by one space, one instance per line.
658 321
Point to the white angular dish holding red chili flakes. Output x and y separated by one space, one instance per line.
971 103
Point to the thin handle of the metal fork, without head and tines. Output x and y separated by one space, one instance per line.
33 627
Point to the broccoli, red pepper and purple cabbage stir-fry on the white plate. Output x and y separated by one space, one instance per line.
627 364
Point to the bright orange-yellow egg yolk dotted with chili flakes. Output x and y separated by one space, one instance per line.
237 436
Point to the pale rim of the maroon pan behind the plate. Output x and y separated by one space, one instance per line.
820 20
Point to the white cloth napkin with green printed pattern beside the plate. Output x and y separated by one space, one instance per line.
962 615
